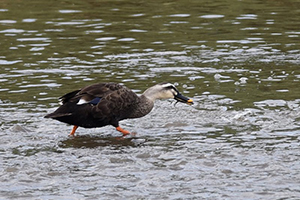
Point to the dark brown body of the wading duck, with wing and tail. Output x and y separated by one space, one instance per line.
96 105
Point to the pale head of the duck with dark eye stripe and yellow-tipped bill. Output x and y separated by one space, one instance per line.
166 91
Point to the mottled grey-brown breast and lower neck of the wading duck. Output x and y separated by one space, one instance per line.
144 106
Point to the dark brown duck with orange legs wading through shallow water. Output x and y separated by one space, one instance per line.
103 104
